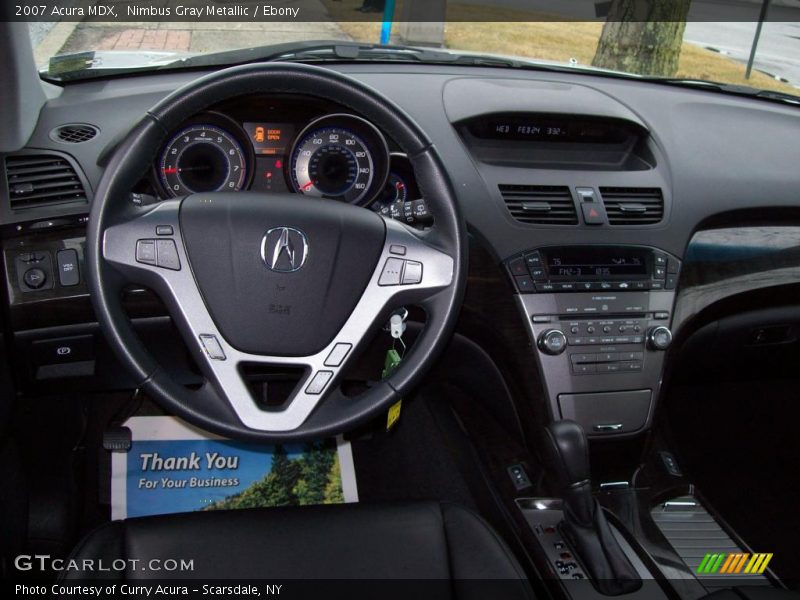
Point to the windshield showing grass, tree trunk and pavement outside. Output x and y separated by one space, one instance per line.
761 52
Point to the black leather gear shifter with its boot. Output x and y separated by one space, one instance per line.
566 454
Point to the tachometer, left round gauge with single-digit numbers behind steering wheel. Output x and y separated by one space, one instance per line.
202 158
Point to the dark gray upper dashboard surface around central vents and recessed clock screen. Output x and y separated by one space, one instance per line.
709 153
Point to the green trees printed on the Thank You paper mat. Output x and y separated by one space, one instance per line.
311 476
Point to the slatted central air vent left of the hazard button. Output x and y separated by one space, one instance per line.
540 204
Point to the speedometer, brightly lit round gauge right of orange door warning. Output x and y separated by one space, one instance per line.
339 157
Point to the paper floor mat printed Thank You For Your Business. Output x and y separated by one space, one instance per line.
174 467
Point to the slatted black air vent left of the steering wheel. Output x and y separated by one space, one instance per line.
42 180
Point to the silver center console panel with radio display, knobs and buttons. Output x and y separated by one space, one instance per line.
599 317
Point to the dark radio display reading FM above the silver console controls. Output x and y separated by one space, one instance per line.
595 263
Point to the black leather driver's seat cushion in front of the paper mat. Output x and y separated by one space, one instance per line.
419 541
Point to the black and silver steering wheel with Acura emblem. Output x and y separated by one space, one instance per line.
281 280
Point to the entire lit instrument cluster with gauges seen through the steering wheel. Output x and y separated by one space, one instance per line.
338 156
